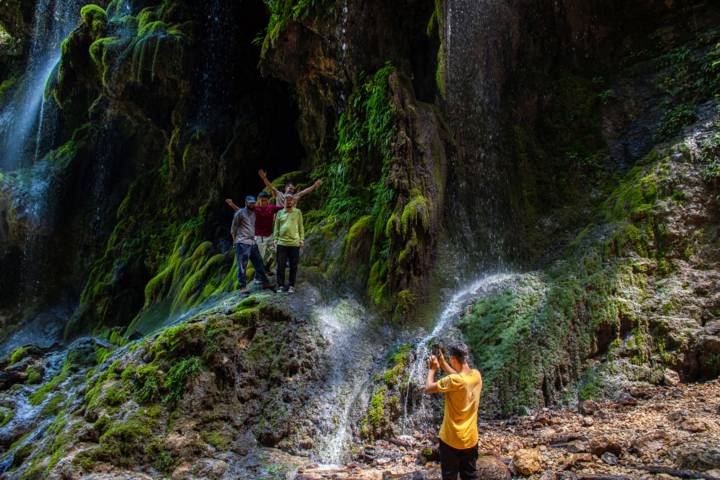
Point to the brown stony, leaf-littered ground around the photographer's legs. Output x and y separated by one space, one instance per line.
654 432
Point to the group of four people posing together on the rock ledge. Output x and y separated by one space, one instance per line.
276 232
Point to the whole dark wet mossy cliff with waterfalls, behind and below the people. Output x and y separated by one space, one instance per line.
571 146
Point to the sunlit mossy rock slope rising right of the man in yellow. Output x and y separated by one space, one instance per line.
615 295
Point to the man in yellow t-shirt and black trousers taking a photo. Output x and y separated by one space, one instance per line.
458 434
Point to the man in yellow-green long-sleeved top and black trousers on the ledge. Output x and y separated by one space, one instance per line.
289 237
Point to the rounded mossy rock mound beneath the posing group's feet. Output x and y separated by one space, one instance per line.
235 382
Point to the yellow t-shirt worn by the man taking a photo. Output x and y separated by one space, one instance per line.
462 397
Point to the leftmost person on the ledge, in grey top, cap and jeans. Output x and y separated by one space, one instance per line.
243 233
